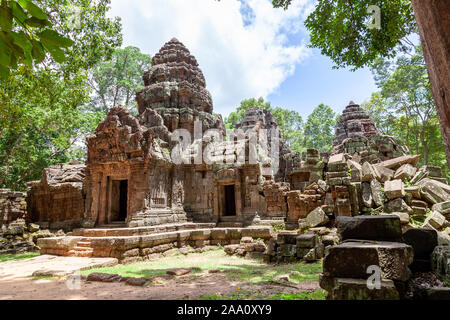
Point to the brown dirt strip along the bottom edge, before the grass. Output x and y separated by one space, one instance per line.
179 288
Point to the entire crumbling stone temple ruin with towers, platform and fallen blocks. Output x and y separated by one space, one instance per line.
172 177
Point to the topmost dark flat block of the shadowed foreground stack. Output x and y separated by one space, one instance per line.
382 228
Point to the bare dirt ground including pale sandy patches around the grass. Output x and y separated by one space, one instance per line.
17 284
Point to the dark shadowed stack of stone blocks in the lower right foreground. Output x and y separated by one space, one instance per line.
375 260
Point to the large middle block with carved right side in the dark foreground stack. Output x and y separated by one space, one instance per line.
392 258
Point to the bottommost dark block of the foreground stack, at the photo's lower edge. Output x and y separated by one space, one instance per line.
357 289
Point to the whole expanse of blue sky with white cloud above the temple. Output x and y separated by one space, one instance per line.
246 49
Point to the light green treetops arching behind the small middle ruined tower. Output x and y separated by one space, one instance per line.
289 122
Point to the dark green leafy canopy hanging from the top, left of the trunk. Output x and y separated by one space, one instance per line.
339 29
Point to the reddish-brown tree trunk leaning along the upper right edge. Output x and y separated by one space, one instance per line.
434 26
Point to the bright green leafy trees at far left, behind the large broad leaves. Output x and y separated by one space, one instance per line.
41 119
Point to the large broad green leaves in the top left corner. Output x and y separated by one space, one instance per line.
27 35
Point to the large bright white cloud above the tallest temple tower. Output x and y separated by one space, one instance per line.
242 48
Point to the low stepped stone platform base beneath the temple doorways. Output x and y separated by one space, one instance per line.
133 244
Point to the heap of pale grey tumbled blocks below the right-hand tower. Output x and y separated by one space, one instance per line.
419 197
